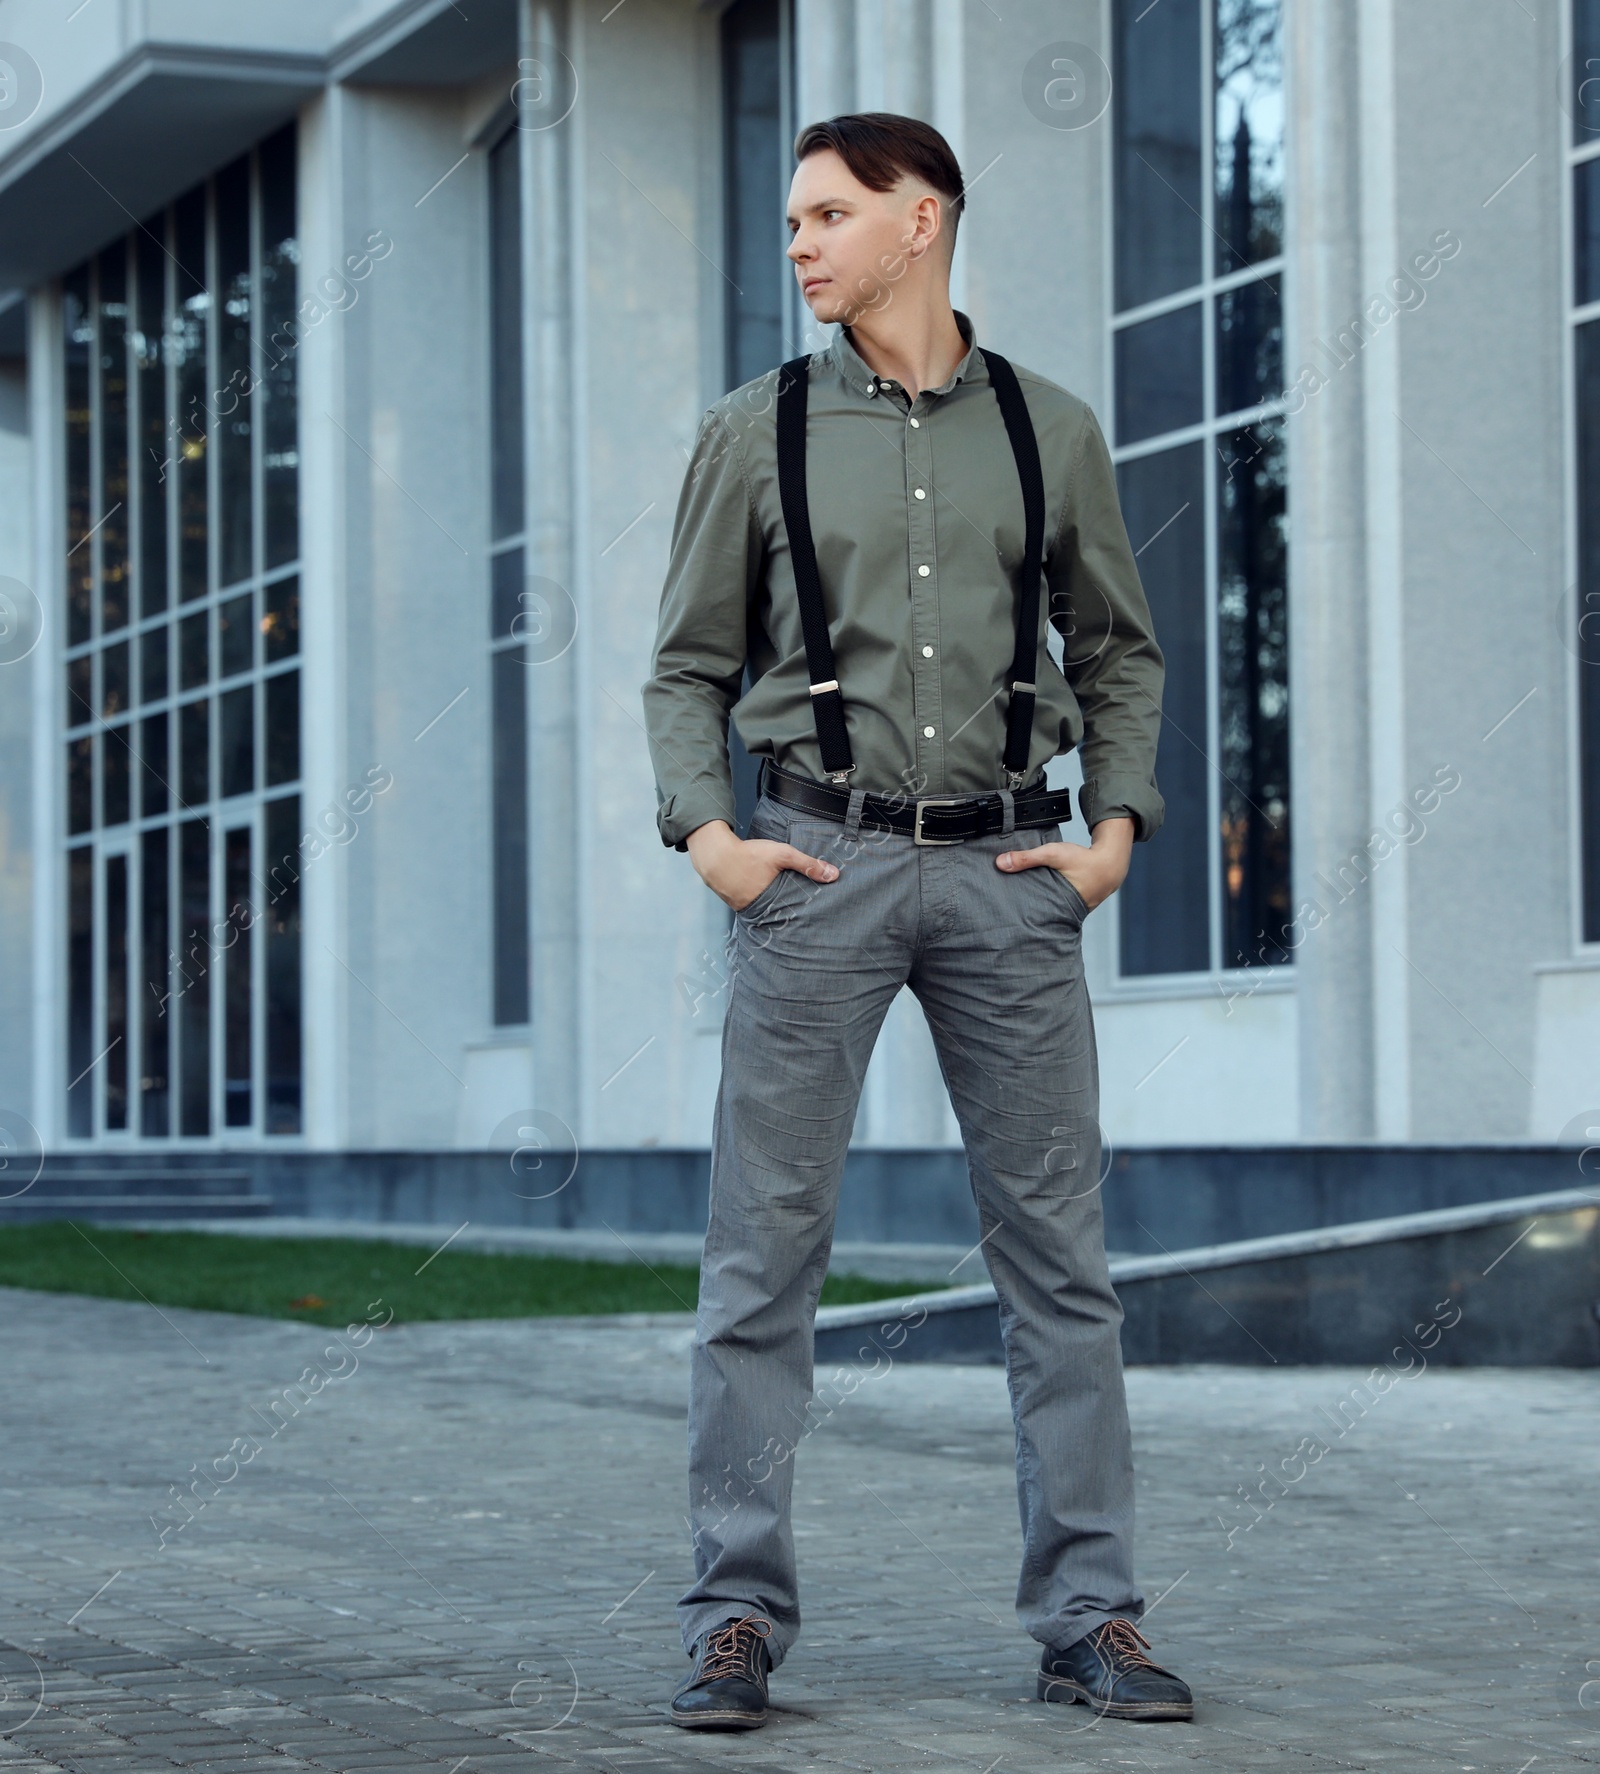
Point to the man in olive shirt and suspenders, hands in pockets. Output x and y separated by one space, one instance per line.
867 528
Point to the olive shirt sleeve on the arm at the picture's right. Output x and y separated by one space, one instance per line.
1110 657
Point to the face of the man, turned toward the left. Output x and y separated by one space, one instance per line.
851 246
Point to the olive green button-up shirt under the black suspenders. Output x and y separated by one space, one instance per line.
916 512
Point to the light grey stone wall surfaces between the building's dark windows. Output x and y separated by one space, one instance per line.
1441 1000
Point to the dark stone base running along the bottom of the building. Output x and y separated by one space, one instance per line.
1157 1198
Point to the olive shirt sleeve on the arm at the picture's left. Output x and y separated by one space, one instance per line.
700 659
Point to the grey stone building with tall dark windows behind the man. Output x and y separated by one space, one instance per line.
350 354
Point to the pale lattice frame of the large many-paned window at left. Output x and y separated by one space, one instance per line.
224 815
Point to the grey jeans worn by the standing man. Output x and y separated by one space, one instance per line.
996 962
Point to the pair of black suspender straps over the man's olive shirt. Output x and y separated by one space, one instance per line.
827 703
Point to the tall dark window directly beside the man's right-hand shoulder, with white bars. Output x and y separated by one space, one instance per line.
1204 496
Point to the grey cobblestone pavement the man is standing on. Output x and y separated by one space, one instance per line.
459 1550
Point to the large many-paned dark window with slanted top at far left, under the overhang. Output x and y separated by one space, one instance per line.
180 365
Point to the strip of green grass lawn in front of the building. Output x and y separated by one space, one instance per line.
338 1282
